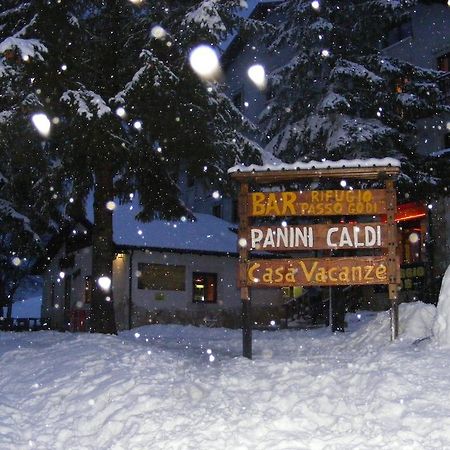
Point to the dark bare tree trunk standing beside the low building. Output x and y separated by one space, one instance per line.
102 317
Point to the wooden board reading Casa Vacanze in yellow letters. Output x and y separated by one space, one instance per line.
317 272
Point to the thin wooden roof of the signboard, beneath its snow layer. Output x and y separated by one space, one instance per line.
280 176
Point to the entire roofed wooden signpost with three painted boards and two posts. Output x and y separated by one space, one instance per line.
377 237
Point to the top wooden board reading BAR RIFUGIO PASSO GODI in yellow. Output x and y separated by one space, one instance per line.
317 203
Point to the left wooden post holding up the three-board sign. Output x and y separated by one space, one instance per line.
243 259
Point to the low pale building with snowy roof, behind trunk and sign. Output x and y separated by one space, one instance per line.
163 272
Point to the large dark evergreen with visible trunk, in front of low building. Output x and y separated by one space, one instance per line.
126 110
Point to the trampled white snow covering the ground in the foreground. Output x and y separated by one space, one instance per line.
174 387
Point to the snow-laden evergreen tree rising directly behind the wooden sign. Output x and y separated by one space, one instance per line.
339 96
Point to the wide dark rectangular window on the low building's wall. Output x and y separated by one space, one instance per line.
159 277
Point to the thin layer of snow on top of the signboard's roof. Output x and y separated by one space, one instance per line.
324 164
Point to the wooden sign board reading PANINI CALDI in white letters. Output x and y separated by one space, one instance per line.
316 237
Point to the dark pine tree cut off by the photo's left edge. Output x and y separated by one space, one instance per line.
28 209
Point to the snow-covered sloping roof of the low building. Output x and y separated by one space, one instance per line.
207 234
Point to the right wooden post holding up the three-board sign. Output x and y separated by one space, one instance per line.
393 267
